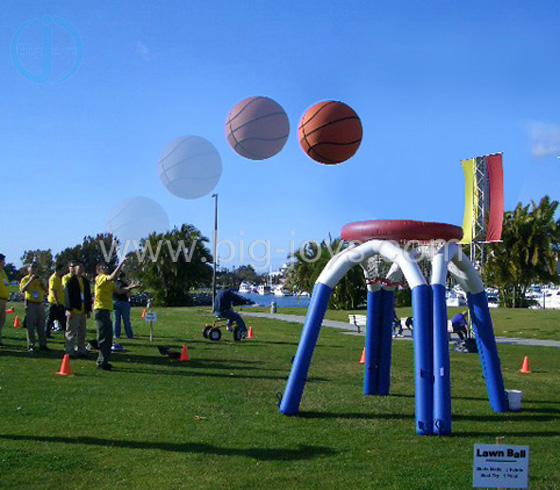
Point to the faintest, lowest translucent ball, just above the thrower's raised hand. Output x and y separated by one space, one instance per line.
136 218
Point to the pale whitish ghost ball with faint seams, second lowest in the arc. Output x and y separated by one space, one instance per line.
190 167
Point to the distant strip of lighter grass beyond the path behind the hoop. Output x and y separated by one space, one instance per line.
519 322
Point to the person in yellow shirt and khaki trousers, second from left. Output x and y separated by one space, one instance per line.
34 290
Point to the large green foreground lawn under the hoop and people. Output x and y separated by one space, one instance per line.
213 422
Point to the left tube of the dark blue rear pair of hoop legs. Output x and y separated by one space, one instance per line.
371 366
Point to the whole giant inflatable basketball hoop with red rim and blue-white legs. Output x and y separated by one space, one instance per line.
398 243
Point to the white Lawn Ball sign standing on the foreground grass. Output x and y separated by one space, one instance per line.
501 466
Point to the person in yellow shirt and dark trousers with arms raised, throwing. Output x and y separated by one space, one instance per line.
102 307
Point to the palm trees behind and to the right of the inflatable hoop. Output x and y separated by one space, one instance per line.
528 254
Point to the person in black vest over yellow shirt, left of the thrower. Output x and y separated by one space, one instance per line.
77 302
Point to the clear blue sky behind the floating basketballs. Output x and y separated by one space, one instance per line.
433 82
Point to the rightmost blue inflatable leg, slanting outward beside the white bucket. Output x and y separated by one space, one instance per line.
488 351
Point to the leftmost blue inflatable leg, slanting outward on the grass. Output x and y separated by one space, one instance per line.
296 382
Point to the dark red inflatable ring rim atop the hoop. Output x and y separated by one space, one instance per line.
400 230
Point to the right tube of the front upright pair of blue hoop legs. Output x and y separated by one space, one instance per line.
442 381
